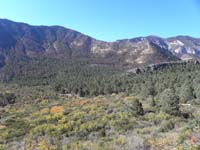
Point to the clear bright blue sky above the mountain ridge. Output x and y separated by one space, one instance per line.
110 20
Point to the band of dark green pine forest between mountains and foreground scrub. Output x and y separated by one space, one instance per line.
89 78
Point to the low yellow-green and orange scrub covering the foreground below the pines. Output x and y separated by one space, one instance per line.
102 122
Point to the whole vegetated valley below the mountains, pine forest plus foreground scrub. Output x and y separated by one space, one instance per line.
49 103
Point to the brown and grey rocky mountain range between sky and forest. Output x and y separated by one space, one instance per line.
21 39
